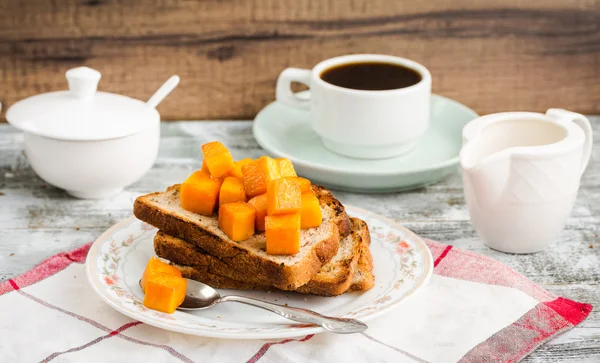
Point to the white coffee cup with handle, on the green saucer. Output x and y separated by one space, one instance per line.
361 123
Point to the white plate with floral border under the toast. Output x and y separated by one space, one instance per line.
116 261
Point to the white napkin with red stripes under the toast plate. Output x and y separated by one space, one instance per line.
474 309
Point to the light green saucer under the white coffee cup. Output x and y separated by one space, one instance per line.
285 132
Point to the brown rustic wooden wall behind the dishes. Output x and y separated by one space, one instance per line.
490 54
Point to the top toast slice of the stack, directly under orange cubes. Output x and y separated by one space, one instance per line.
249 258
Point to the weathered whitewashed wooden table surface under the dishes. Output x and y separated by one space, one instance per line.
38 221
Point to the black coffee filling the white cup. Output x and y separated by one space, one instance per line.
371 76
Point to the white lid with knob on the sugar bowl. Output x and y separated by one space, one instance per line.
82 113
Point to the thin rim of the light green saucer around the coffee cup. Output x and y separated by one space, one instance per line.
302 163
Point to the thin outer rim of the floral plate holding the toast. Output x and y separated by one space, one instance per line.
93 280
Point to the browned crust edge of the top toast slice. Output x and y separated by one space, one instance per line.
241 258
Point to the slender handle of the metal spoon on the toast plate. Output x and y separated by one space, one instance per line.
334 325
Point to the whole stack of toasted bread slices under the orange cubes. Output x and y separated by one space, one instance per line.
334 257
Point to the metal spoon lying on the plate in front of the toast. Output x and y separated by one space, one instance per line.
201 296
